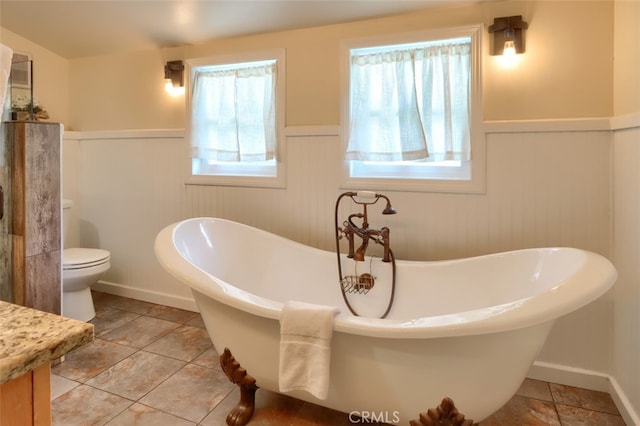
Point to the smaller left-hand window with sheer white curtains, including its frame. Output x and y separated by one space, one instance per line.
236 110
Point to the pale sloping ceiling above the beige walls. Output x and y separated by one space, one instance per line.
79 28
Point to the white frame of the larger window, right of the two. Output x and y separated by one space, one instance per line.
475 181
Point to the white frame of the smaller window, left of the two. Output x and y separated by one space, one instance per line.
242 174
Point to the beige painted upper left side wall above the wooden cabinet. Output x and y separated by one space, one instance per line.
50 75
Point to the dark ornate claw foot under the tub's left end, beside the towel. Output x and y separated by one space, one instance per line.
241 413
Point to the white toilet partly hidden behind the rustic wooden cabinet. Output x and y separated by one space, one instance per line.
81 267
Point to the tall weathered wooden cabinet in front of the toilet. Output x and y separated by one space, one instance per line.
33 156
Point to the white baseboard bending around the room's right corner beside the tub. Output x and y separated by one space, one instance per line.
586 379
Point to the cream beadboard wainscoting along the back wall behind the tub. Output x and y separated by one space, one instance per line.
545 187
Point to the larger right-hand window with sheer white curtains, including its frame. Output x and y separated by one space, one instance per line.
412 113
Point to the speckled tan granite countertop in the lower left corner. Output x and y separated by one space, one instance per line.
30 338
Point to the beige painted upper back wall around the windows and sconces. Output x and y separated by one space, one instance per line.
567 71
